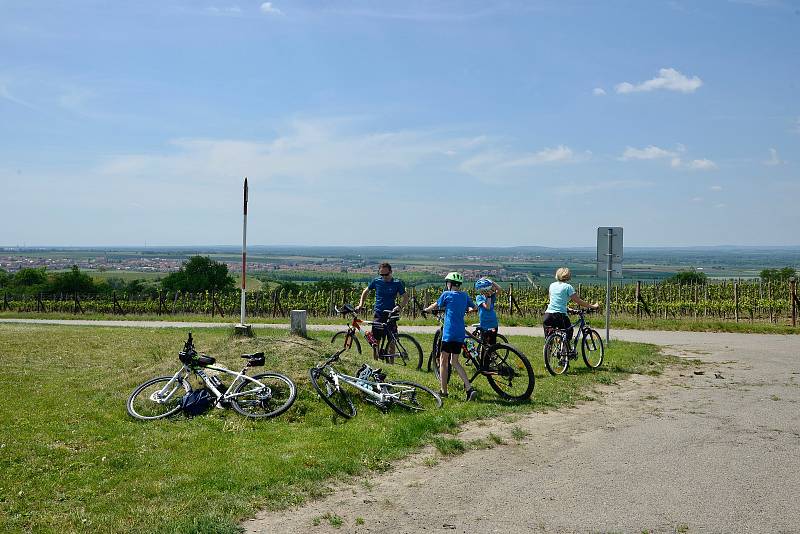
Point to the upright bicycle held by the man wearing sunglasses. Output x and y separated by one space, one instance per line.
404 346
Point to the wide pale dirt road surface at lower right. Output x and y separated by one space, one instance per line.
682 452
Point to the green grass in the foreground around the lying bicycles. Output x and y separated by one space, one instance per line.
72 460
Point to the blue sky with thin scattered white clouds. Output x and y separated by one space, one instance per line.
399 123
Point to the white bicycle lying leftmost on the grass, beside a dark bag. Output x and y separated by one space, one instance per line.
262 395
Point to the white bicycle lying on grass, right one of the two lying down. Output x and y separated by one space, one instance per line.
329 382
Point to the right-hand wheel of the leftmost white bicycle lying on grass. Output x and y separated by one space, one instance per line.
269 400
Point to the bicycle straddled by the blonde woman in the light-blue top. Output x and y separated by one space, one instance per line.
558 352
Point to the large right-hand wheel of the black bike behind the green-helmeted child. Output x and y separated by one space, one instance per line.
509 372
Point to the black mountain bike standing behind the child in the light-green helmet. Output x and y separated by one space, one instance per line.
505 367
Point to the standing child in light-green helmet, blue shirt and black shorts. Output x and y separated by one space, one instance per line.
455 303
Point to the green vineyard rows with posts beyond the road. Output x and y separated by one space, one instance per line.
728 300
